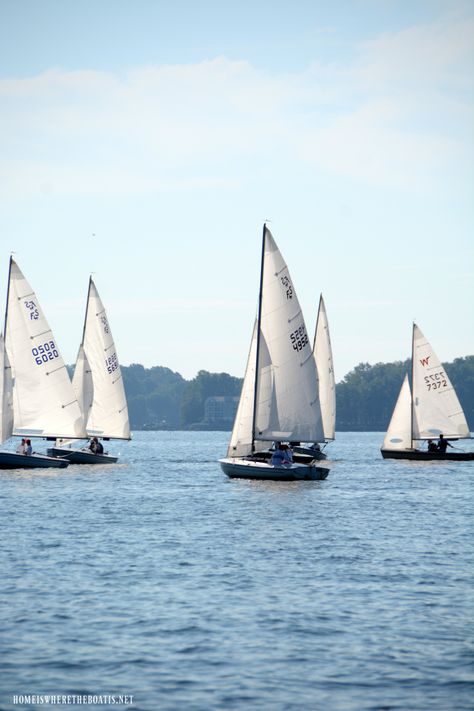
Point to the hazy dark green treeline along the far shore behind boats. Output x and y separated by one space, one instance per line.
159 398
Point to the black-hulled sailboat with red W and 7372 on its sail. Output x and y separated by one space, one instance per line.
430 409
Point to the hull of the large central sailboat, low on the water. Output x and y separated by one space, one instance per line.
249 469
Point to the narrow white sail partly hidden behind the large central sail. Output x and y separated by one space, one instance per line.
324 364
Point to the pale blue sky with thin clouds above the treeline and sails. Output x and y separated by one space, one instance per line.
146 142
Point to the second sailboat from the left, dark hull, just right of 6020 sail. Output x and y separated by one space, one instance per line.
98 386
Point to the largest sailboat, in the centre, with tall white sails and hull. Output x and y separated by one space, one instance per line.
279 400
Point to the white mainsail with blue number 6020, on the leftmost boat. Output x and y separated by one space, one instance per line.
44 403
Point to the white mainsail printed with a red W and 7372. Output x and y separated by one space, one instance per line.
436 408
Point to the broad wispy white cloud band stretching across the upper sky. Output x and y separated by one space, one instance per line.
399 115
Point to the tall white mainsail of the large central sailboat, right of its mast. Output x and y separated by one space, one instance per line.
287 391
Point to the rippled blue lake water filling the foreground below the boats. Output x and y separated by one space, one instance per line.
162 579
